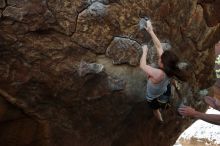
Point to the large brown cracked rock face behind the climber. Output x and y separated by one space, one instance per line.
69 70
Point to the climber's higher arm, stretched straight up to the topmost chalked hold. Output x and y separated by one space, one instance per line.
156 41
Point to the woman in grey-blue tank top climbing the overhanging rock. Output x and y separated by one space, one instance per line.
158 85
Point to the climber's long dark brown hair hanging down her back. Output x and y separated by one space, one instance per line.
170 65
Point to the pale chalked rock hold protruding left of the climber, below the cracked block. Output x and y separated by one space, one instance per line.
89 68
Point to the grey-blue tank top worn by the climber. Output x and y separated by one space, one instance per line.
155 90
